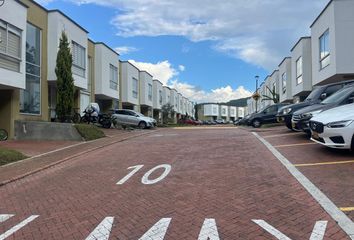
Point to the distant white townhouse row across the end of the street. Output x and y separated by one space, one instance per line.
215 111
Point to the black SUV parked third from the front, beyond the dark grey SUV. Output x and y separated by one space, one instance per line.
317 95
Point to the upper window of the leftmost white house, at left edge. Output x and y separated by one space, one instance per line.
10 46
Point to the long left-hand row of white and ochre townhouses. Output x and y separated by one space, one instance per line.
29 40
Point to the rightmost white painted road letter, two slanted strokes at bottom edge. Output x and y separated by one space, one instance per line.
317 233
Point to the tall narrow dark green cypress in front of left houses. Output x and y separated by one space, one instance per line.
65 81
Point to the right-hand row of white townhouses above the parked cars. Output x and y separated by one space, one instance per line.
326 56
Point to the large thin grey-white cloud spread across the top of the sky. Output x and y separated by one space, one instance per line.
260 32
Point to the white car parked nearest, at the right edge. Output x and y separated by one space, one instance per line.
334 128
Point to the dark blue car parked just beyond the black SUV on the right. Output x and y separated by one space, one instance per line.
268 115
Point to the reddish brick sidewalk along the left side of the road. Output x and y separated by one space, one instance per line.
45 154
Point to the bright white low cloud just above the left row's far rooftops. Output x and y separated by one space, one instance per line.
167 74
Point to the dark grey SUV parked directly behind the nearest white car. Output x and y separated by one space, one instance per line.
301 118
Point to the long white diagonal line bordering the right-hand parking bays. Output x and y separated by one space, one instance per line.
343 220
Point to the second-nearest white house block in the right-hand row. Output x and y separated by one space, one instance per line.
301 63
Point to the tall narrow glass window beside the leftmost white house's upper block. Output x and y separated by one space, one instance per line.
30 98
